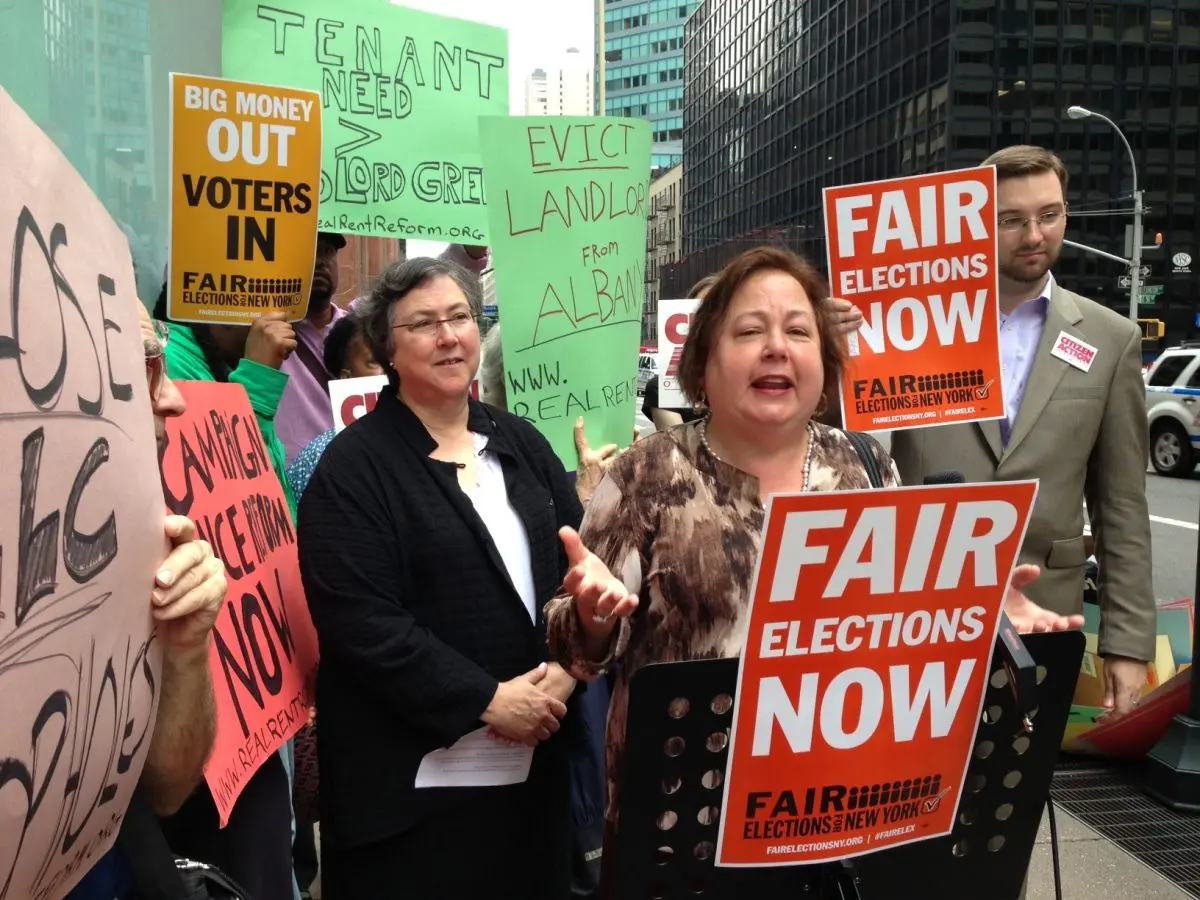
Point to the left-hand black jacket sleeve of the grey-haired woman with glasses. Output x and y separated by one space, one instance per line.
351 561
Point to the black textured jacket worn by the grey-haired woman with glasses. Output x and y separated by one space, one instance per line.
416 614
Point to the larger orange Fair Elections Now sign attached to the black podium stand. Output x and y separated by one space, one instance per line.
873 621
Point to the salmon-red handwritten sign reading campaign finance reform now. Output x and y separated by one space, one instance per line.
217 471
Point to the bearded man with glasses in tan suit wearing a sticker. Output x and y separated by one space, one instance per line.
1077 422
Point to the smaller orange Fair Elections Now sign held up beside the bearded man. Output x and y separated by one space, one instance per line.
919 257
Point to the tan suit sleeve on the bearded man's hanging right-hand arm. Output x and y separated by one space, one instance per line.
1117 503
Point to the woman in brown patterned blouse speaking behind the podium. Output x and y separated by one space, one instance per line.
681 514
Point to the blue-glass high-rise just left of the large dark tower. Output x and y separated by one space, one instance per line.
640 68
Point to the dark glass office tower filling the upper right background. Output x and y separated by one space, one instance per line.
785 98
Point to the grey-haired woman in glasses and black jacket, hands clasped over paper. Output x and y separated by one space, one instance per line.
430 544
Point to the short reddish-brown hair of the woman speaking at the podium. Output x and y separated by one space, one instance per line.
711 316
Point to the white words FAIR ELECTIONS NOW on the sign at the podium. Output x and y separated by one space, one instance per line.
892 559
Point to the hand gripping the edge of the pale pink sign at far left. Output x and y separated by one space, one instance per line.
191 589
